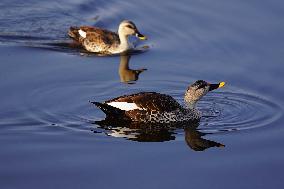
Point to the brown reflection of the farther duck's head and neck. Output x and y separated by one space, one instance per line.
126 74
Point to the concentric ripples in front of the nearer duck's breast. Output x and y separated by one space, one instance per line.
236 111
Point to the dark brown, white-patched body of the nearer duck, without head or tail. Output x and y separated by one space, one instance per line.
152 107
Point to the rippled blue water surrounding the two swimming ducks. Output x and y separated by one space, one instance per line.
49 136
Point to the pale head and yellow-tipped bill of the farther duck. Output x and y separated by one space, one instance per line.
127 28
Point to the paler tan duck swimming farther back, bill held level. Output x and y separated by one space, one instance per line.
100 40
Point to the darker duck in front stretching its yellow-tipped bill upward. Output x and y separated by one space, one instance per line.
153 107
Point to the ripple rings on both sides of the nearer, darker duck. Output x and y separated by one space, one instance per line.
67 105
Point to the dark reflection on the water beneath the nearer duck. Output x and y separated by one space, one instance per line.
158 133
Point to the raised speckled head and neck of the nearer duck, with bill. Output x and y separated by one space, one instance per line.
198 89
